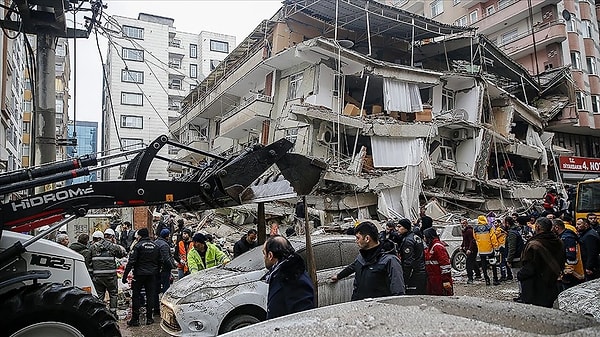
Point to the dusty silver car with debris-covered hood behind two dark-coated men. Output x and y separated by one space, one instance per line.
229 297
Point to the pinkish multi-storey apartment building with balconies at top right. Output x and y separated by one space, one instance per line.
545 37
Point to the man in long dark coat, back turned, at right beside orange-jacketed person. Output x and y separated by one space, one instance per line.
543 259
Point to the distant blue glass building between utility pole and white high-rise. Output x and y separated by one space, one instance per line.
86 135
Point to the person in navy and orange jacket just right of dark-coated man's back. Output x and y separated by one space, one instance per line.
573 272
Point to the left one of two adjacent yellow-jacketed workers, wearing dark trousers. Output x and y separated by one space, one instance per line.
486 245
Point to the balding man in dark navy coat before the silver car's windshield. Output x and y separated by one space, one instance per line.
290 288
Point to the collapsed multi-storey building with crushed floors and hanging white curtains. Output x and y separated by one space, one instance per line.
402 108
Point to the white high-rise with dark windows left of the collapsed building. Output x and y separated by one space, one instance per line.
150 68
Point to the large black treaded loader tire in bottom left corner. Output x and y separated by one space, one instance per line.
50 306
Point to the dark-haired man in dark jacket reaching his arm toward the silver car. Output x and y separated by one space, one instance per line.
378 273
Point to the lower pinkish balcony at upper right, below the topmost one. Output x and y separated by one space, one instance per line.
545 34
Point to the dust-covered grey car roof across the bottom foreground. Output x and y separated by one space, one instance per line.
426 316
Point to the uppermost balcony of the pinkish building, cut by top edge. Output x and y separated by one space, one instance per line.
510 14
